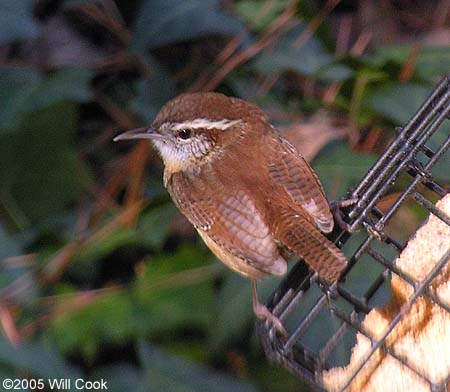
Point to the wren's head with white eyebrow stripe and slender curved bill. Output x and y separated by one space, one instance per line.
192 129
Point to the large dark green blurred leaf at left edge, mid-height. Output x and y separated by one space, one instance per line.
40 172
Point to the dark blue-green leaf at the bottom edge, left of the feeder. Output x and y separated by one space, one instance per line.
168 373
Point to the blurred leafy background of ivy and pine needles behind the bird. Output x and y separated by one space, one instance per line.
100 276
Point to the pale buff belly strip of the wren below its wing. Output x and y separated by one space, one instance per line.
232 261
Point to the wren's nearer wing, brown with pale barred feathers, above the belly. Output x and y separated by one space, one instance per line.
231 220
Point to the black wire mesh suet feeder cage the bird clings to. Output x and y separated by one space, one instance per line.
322 329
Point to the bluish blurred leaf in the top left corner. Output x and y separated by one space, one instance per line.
16 20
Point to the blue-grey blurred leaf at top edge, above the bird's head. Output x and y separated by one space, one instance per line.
164 22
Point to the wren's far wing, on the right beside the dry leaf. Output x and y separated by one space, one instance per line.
290 170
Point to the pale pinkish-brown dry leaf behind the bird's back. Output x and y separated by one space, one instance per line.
310 136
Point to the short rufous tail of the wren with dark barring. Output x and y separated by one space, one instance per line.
303 238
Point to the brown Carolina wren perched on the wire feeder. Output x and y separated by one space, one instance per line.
248 192
